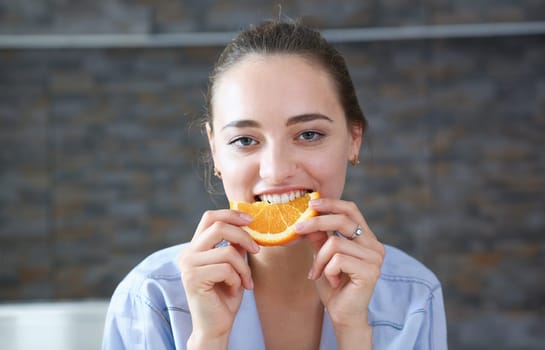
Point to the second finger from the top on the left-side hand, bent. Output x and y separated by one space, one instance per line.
220 231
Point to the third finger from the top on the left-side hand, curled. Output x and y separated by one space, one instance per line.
229 255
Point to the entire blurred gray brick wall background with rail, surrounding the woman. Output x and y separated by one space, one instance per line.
100 146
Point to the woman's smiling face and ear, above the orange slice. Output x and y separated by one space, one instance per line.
278 129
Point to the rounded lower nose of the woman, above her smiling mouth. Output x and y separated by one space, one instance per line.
277 164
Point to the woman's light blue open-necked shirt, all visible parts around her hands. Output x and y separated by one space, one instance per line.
149 309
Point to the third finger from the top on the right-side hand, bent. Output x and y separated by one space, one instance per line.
335 246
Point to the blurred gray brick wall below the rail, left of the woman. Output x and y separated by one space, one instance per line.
99 167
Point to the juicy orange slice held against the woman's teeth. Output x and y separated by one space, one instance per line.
274 223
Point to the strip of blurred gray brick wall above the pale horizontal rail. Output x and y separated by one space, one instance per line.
144 16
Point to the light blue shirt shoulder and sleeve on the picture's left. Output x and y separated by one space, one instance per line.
146 303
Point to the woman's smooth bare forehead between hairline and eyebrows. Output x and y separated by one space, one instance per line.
274 85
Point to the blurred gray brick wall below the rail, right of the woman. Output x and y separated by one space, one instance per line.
455 174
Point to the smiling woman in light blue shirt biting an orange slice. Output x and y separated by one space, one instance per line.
283 118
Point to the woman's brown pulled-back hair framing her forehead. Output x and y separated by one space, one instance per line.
280 37
